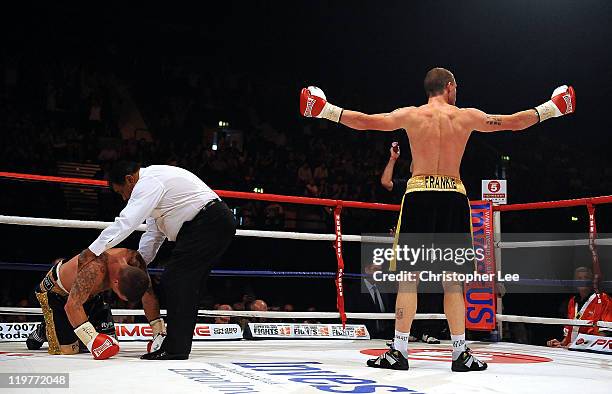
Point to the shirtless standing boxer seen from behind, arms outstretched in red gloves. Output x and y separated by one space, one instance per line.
435 200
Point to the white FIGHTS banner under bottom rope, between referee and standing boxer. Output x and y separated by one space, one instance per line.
310 331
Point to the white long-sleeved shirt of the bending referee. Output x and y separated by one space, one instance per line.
165 197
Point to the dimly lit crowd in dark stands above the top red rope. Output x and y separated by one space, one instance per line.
61 111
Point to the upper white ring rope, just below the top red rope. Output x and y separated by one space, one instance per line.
46 222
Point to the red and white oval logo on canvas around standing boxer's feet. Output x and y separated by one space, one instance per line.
446 356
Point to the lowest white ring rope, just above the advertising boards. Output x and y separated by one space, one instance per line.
331 315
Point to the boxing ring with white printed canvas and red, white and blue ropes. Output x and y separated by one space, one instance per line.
319 365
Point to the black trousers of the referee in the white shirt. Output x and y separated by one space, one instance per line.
199 245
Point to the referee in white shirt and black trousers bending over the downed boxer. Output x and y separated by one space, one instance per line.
177 205
